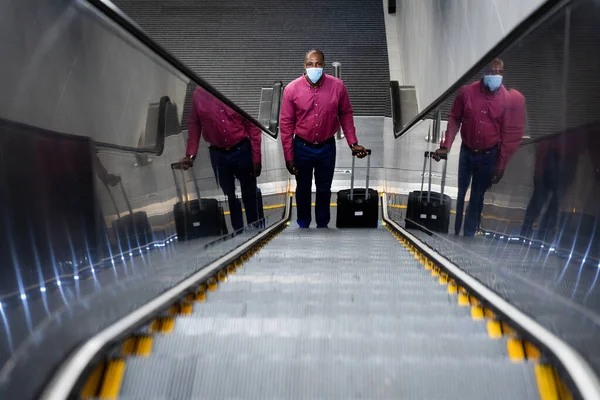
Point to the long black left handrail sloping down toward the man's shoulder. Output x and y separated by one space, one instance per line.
118 17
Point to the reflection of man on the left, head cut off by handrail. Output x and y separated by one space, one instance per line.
235 151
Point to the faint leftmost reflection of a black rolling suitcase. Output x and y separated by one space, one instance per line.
133 230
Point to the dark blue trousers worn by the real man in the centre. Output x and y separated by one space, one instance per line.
321 162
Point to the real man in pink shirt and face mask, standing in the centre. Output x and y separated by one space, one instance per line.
312 109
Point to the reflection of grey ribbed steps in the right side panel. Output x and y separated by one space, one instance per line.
560 295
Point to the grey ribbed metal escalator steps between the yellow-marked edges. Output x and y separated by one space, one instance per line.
329 314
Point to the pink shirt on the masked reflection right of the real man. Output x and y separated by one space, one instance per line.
483 119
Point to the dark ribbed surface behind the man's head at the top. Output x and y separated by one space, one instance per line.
241 47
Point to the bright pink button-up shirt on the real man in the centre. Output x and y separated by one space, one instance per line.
315 113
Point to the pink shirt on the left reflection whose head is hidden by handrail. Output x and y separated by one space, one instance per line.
220 125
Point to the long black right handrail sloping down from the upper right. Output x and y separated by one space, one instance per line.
545 11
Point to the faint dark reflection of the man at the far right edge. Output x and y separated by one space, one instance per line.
556 162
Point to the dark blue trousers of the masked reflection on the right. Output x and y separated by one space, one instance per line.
475 170
